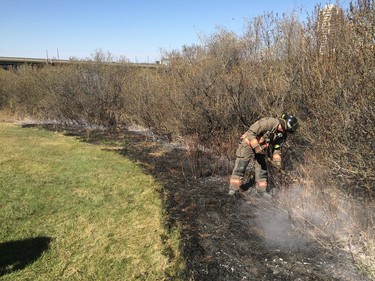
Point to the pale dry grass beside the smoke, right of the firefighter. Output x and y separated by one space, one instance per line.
336 221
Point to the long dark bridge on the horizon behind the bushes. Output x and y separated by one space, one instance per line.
15 62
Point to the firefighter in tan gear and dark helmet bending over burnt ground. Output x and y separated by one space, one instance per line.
263 139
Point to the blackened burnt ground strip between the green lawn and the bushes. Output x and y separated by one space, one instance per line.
242 237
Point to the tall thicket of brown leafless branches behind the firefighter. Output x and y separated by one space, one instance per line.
212 91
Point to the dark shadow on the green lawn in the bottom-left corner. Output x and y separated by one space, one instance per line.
16 255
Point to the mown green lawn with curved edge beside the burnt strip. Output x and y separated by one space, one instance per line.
100 216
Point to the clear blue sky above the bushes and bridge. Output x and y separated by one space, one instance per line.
138 30
